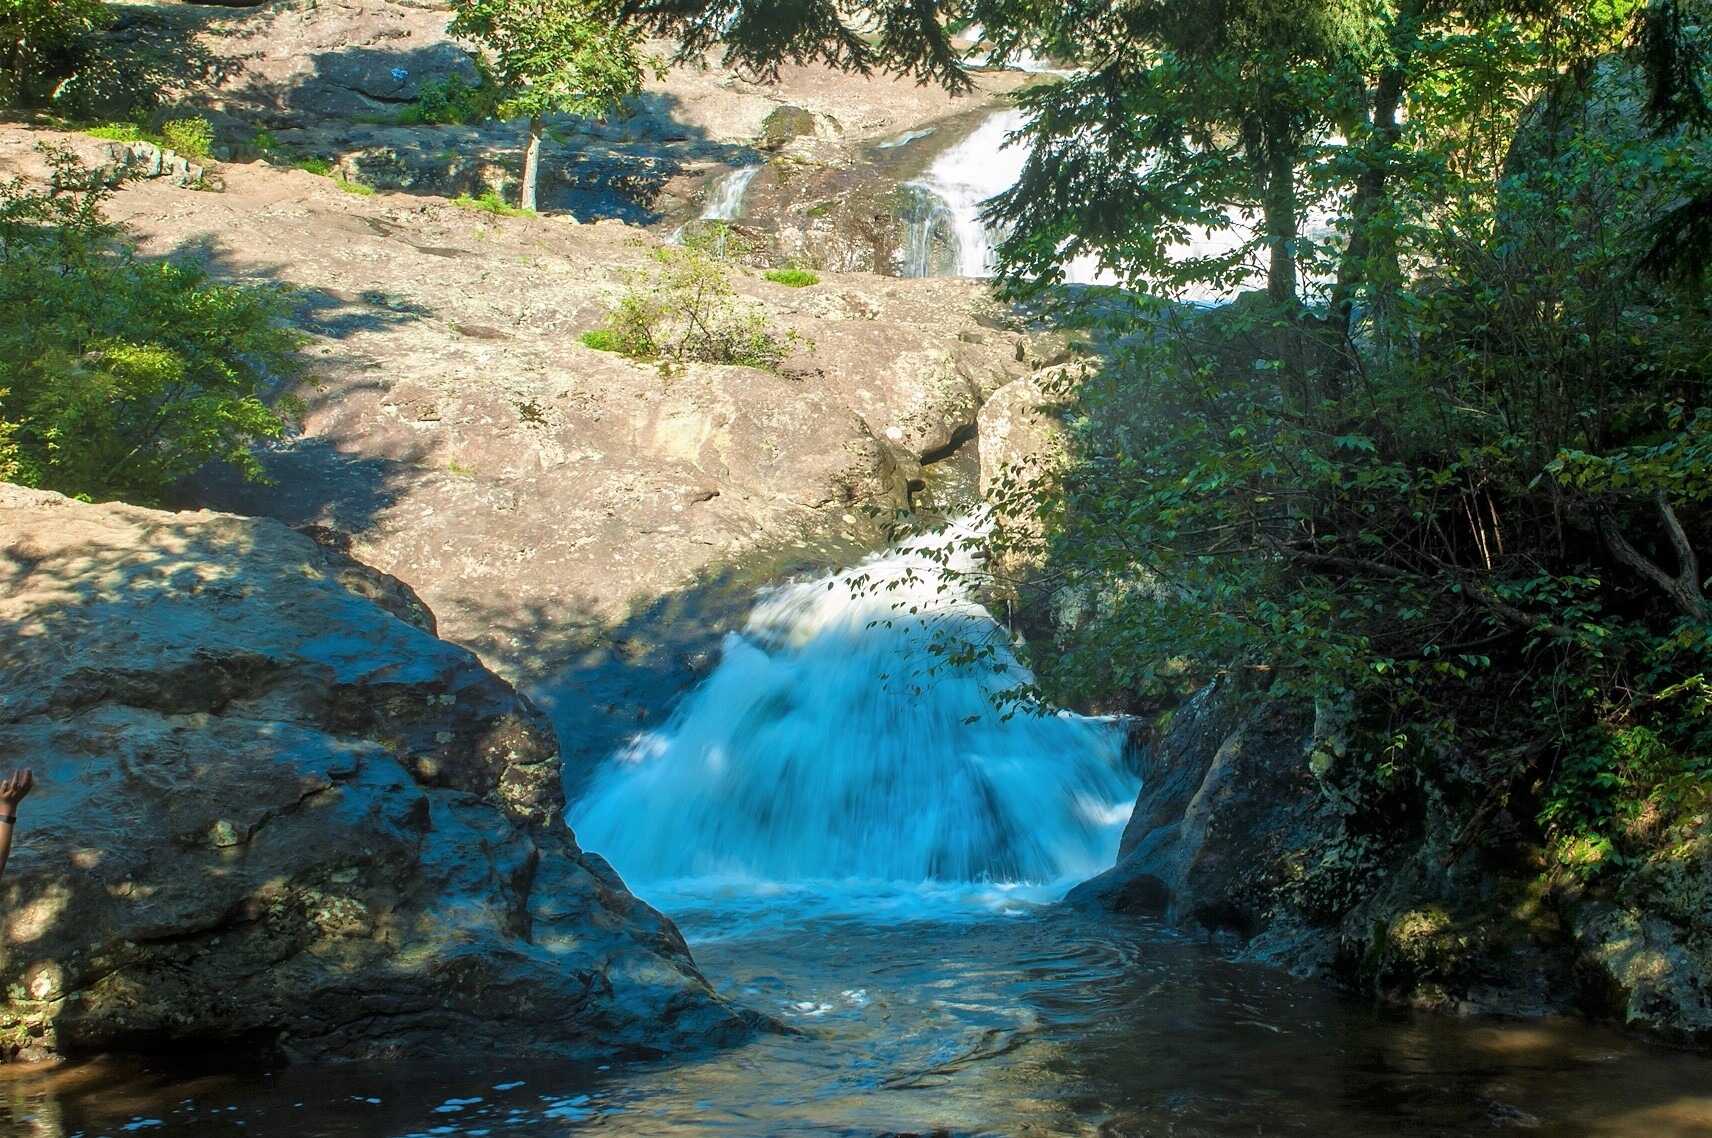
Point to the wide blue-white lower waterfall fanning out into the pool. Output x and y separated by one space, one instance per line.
833 744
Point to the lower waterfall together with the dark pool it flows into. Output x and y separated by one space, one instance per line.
859 845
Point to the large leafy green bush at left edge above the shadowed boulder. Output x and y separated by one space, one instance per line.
121 376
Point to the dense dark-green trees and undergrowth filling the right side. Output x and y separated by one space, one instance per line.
1449 473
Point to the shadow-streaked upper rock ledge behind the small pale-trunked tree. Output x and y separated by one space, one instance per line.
338 81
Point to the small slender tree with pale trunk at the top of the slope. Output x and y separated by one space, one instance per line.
547 57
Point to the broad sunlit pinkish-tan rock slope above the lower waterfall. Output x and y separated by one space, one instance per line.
540 494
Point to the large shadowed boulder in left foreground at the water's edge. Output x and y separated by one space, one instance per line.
275 815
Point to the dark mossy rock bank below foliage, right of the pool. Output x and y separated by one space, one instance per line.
1244 829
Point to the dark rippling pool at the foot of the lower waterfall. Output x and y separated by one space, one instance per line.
961 1022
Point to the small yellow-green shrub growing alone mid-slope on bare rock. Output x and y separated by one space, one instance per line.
687 311
